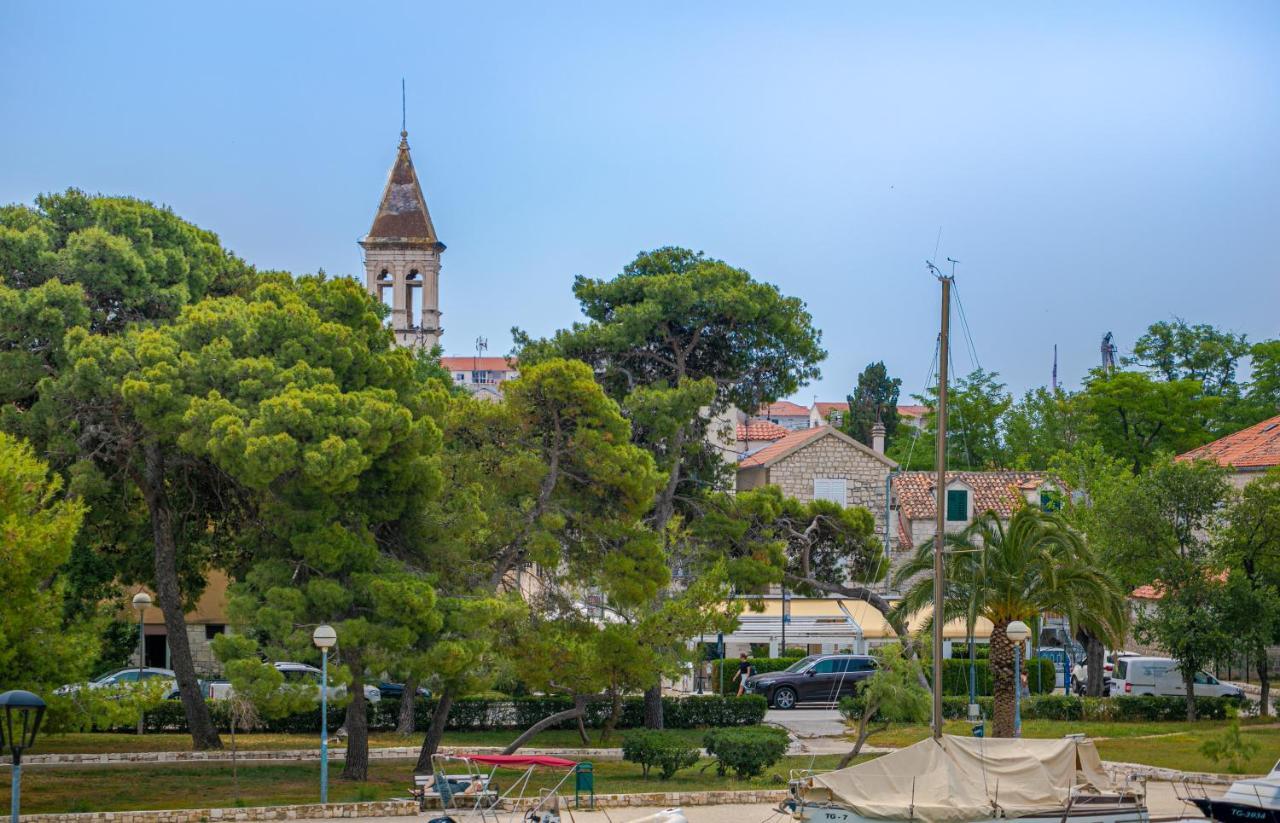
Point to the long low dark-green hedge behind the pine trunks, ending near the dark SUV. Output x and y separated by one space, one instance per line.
486 714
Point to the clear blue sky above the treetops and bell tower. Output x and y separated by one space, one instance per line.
1095 167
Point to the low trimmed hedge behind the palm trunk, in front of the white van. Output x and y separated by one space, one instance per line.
1146 708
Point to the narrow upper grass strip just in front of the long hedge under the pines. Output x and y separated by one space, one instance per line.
106 743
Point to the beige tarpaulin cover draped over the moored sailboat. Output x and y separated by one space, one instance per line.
966 779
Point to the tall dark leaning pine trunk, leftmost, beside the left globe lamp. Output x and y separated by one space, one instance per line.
204 735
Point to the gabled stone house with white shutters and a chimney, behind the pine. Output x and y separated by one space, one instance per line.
824 464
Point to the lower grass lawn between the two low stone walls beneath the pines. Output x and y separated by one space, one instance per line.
205 785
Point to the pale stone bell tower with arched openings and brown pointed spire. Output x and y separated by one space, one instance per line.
403 257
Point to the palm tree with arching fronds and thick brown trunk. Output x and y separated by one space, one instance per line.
1008 573
